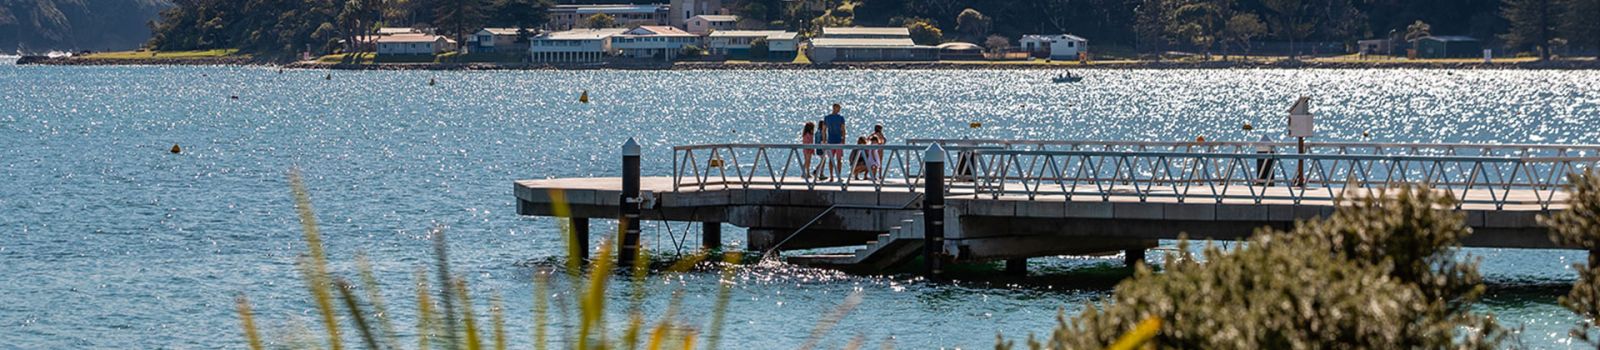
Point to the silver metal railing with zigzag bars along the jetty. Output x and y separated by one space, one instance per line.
1142 172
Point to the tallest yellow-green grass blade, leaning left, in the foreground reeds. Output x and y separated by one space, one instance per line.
318 269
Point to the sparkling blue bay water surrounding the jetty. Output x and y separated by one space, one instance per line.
108 241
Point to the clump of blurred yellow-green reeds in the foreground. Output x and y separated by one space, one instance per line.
446 316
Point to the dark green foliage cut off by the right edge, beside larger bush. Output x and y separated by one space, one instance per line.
1580 228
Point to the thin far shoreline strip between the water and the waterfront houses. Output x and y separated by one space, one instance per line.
1566 65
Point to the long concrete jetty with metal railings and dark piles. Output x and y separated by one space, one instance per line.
985 201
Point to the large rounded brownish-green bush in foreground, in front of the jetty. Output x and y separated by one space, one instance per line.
1378 274
